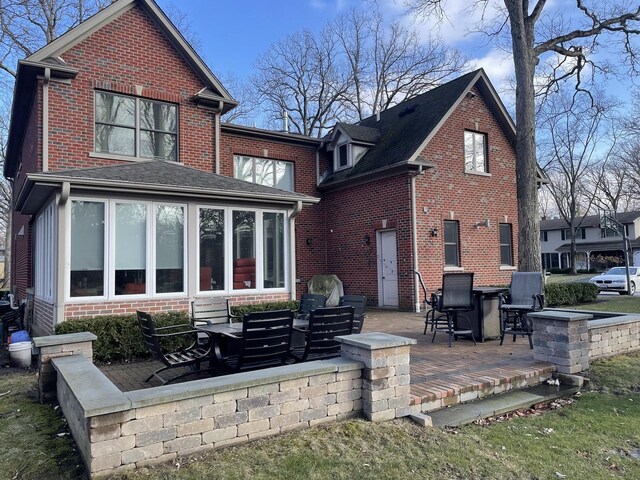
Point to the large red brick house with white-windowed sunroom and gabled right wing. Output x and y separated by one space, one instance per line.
129 193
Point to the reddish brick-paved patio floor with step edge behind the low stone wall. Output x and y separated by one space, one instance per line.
440 375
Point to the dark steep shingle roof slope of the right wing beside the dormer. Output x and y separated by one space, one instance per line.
404 127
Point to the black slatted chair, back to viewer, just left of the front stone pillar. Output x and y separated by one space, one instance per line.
324 325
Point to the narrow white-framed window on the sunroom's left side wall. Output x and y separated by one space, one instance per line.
44 254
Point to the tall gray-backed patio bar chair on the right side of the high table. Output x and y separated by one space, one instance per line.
526 295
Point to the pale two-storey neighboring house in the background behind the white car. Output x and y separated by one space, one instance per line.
595 246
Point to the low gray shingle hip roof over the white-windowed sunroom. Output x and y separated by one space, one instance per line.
143 174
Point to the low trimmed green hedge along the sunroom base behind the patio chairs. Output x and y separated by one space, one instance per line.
119 337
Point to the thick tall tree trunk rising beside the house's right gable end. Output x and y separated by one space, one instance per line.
526 185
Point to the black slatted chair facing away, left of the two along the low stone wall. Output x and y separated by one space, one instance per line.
265 341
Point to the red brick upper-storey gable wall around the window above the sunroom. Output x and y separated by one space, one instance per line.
128 52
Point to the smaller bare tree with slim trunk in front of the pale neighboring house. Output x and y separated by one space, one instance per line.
574 137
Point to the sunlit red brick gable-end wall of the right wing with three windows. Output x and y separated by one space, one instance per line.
471 198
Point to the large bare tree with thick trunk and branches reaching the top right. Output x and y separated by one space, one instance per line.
568 42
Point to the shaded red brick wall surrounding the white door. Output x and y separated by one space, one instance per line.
353 213
